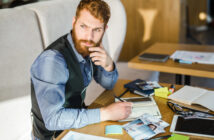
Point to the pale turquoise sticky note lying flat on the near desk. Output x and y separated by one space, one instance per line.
113 129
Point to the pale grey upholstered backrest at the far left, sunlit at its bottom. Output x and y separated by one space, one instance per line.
20 44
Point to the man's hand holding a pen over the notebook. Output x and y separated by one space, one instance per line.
116 111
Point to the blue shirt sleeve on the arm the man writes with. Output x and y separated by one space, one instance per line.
49 75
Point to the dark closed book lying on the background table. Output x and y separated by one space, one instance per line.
154 57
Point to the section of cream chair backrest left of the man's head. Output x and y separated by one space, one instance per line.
55 18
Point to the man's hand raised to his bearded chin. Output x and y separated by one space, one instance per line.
100 57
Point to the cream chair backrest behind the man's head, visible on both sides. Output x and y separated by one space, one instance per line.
55 19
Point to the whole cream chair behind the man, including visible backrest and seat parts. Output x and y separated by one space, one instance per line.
56 20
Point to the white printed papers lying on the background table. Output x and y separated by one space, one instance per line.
194 56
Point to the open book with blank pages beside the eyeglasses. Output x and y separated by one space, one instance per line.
194 95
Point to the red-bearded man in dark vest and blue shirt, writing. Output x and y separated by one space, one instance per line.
61 74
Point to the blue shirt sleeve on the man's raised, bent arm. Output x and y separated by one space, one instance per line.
104 78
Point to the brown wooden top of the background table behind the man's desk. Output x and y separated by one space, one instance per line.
201 70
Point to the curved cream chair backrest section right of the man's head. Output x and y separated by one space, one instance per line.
116 28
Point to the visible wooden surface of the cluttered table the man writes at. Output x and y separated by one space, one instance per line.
107 98
